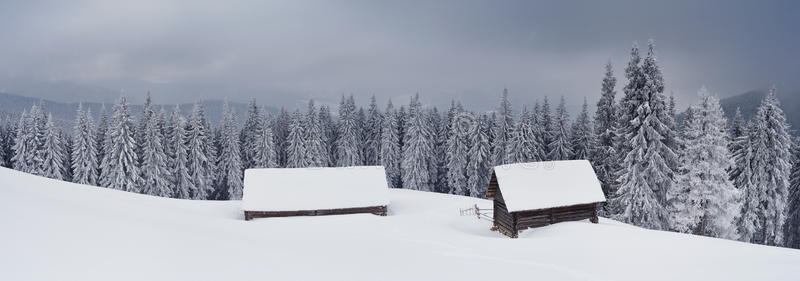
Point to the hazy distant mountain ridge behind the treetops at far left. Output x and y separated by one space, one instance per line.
15 104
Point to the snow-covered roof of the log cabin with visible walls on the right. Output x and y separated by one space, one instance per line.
541 185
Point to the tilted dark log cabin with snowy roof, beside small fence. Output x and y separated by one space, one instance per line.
536 194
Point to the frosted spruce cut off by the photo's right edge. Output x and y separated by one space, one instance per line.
792 226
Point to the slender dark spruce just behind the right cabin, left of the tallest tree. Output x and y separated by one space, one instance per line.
603 156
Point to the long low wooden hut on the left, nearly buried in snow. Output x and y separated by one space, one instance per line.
283 192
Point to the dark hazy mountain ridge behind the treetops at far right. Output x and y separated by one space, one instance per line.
748 103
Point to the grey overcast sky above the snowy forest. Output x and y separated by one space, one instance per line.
284 52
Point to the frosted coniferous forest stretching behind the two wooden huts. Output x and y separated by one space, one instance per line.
706 175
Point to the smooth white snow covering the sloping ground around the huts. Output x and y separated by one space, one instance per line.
51 230
